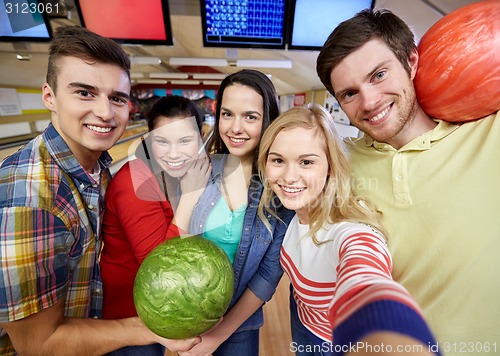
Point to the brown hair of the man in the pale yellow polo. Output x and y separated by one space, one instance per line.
355 32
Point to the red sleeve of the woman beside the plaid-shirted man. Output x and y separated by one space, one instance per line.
140 208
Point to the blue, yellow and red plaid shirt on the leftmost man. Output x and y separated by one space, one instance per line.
49 242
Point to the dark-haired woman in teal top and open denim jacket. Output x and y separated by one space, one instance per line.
227 211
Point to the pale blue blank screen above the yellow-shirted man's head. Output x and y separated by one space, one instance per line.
312 21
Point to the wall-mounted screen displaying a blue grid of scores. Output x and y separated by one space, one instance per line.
244 23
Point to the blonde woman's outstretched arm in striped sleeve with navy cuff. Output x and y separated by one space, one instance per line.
370 309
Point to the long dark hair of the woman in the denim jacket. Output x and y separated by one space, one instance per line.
259 82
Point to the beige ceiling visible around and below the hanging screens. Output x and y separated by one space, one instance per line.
187 33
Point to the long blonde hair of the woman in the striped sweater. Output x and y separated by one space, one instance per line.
337 193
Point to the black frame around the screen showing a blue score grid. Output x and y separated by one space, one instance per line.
244 42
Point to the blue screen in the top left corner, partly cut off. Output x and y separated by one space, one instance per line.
23 20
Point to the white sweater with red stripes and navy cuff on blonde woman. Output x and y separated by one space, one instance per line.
342 286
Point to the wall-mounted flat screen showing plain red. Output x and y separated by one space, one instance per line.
128 21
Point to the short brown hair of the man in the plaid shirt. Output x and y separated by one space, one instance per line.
79 42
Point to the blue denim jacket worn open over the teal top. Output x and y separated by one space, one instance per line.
257 263
